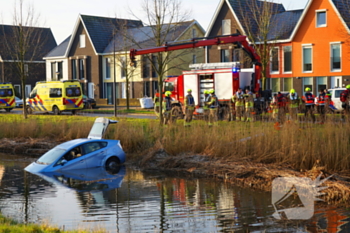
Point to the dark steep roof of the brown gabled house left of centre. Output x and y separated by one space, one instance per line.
101 29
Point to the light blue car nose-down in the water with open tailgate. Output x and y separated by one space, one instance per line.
82 153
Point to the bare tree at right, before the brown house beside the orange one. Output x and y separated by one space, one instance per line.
259 23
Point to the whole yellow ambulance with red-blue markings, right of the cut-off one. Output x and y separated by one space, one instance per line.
56 97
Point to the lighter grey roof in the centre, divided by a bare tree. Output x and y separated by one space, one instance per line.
143 37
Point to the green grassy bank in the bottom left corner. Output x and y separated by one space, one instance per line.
10 226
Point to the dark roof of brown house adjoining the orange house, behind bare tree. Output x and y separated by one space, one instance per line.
244 11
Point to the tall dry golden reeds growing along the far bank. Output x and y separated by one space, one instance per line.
299 146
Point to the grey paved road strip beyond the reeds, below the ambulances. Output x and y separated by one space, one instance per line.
139 116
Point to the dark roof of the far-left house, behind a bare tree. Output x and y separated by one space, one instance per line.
39 42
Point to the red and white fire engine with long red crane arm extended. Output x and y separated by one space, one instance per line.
224 78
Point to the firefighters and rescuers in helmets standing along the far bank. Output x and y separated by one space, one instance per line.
242 106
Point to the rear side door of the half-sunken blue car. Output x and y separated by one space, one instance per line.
95 153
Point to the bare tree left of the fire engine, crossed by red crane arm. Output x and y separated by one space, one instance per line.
164 18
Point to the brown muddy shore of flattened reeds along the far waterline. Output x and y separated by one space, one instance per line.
244 173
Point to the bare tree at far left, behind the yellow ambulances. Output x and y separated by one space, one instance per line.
23 42
